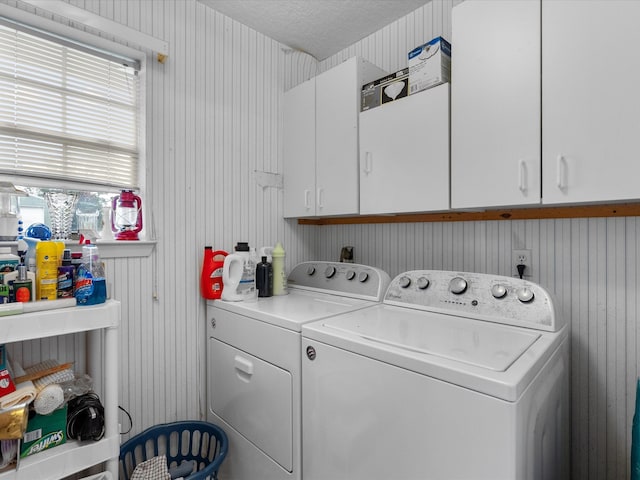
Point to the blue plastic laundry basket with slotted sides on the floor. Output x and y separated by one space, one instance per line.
203 442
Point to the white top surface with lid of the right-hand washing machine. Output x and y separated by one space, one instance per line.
495 359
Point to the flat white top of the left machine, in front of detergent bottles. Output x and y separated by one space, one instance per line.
292 310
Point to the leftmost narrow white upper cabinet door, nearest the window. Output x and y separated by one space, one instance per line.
299 150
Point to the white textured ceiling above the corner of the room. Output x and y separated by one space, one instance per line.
318 27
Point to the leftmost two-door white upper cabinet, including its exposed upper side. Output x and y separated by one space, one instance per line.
321 141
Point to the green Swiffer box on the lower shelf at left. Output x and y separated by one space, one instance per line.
44 432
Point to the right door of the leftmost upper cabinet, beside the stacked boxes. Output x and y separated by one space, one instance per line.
337 109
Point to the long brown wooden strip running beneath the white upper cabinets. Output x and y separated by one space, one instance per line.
583 211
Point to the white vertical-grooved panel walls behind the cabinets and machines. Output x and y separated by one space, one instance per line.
214 118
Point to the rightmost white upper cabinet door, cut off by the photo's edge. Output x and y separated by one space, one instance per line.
591 100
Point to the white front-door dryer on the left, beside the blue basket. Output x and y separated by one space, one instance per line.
254 362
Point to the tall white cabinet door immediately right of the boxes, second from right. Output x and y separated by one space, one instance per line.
495 103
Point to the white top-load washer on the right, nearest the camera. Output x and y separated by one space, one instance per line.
454 376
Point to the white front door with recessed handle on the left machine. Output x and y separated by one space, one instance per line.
255 398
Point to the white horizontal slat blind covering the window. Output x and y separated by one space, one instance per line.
66 114
